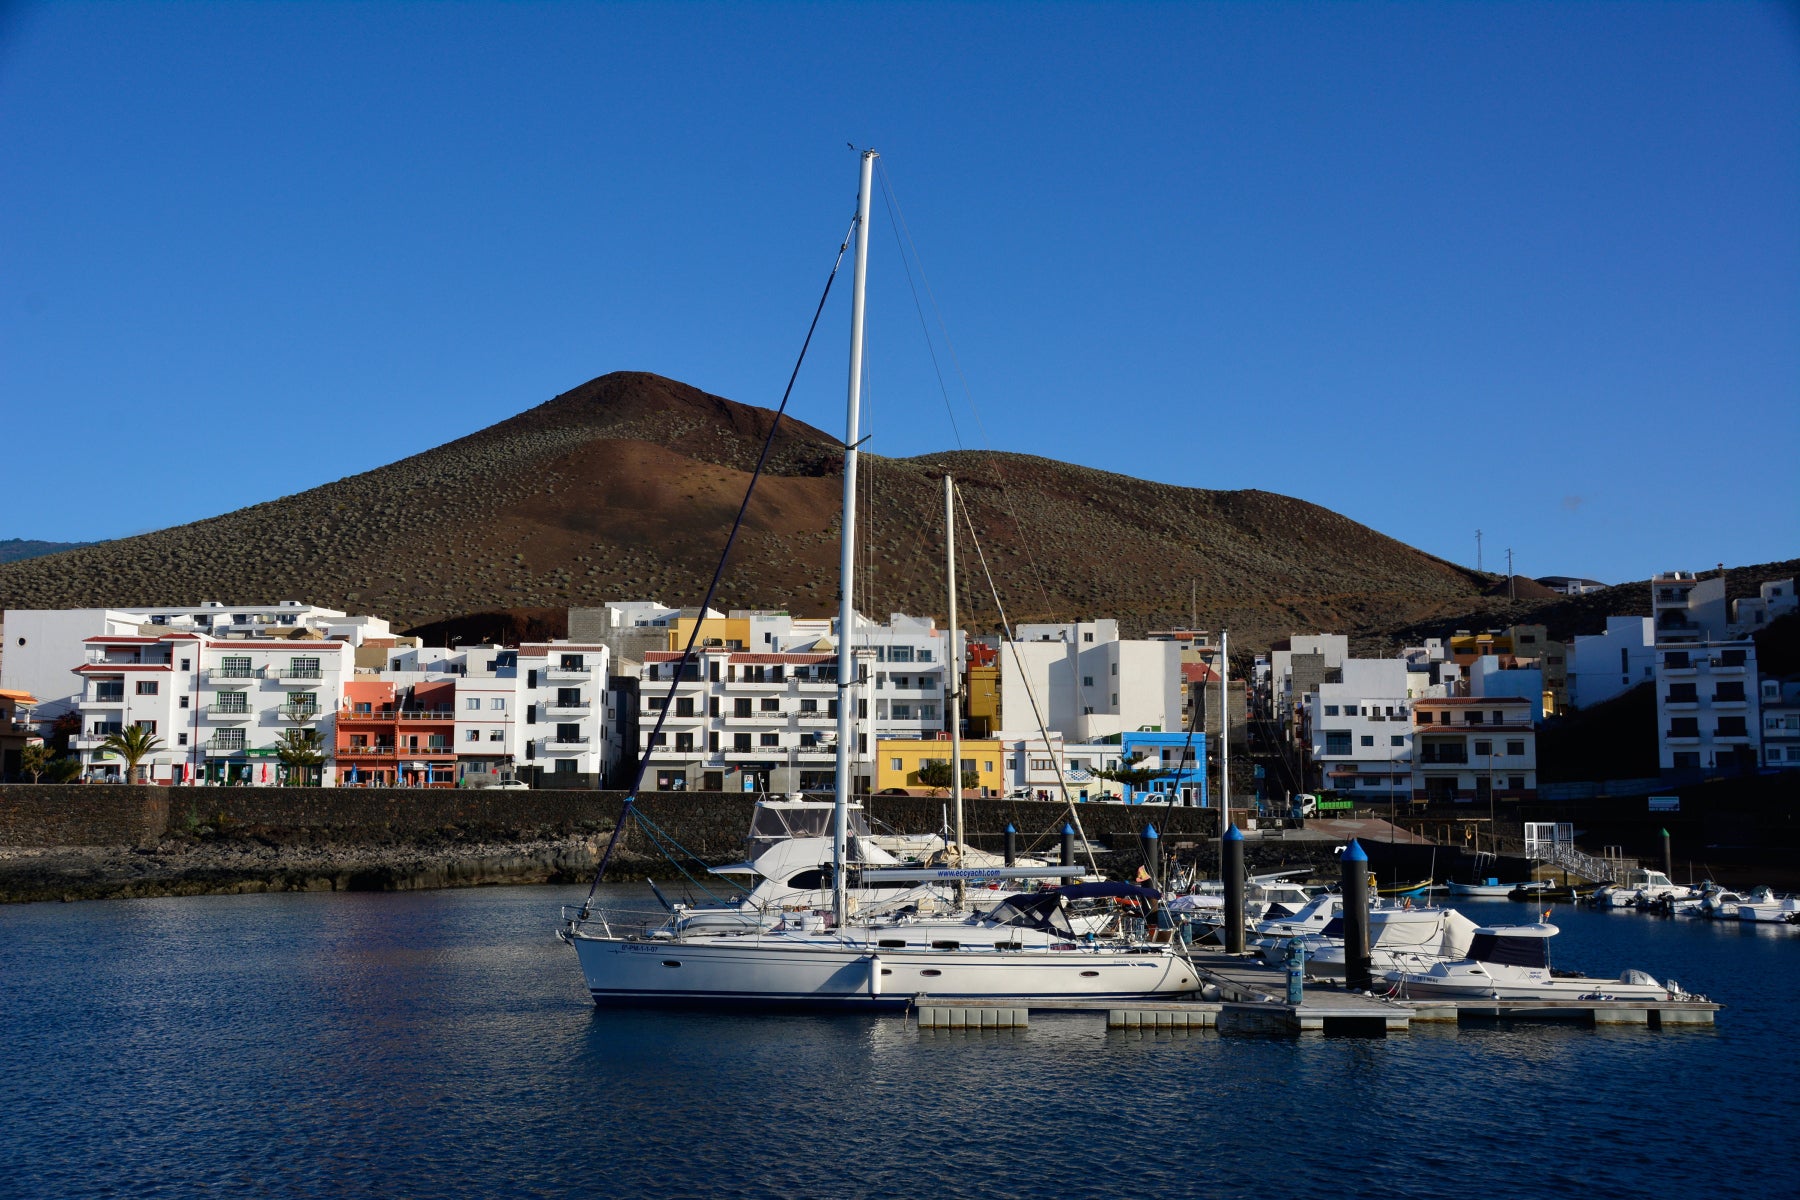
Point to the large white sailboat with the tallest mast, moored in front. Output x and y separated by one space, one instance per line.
1030 947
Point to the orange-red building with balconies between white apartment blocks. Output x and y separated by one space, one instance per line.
406 737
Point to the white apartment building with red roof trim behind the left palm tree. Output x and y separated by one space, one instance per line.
219 704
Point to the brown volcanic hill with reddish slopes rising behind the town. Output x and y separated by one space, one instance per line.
625 488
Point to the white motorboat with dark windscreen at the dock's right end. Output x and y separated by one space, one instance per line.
1513 963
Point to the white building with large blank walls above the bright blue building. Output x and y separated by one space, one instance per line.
1084 683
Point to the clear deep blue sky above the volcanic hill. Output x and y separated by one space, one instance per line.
1520 267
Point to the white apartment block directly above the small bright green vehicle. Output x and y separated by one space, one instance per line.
1360 731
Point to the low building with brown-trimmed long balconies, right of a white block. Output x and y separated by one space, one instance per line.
1473 751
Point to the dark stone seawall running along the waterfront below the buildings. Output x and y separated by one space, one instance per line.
114 841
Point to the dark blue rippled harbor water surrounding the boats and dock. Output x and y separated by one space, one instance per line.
427 1044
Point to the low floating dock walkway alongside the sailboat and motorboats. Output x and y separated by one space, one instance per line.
1252 999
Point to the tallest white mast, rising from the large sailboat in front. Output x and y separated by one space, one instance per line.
847 566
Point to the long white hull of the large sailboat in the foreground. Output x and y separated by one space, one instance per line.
741 972
